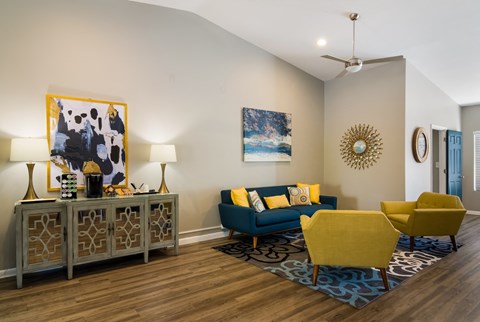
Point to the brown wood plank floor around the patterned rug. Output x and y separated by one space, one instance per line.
202 284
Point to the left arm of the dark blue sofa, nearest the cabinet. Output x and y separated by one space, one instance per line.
241 219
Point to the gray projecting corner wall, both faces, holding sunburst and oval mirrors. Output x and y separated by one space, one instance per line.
394 98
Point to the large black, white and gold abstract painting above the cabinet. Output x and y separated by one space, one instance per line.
86 134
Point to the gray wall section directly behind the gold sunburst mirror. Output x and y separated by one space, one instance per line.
375 97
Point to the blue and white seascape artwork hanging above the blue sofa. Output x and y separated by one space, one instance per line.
267 135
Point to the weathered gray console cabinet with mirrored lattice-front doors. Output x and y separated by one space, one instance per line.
69 233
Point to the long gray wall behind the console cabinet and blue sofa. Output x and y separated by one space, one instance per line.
185 82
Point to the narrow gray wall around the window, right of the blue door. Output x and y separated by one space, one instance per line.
470 123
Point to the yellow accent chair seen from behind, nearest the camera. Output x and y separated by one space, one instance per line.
351 238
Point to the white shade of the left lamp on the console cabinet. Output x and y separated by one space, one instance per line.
28 149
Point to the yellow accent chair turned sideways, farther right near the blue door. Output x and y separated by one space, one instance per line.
433 214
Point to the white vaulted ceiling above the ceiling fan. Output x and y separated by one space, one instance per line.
441 38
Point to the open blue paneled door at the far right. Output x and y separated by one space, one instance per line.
454 163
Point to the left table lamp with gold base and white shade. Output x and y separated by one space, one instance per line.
30 150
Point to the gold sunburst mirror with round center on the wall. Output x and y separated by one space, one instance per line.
361 146
